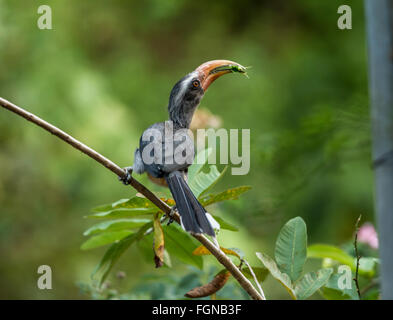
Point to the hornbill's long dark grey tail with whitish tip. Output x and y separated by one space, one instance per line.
193 215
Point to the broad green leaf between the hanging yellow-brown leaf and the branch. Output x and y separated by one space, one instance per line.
181 244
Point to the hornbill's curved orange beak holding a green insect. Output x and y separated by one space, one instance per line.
211 70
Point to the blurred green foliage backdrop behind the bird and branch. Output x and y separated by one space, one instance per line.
104 73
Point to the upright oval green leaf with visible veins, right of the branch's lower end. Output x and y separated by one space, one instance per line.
291 248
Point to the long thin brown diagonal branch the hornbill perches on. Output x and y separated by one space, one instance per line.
220 256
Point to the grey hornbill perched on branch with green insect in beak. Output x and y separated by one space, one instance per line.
166 150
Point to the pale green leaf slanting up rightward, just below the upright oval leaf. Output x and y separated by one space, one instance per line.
311 282
